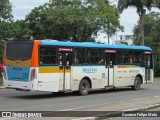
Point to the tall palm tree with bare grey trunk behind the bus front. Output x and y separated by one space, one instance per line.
140 5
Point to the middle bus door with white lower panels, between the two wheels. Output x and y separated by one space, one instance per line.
110 61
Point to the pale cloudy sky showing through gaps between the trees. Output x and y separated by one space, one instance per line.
128 18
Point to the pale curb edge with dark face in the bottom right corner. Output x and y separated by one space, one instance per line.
119 113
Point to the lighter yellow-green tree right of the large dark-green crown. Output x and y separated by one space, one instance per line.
107 16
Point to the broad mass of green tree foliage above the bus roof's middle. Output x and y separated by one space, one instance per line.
72 20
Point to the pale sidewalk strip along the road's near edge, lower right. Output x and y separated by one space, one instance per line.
105 111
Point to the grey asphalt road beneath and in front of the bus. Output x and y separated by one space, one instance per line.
46 101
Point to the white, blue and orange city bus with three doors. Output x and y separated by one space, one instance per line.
56 66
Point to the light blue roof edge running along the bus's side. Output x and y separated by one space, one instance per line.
92 45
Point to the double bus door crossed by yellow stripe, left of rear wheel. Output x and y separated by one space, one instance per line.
65 62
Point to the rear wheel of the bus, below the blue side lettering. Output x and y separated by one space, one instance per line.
84 87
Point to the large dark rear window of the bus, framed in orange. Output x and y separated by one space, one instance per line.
19 50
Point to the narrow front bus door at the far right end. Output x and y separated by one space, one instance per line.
148 66
